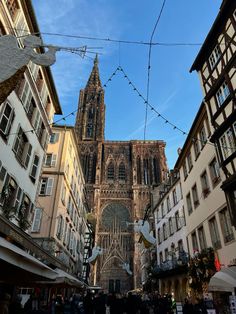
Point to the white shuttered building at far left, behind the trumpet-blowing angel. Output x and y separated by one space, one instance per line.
25 125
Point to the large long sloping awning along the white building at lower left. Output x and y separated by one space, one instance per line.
17 257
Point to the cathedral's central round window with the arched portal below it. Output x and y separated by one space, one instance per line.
115 236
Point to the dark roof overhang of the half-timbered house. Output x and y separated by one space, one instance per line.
226 7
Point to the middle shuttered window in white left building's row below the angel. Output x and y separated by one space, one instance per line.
22 148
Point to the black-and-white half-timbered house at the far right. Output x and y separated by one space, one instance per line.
215 65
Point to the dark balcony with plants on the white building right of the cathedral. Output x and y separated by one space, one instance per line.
169 267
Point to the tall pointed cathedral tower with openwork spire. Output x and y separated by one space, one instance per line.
90 122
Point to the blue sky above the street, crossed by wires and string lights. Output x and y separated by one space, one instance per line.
174 92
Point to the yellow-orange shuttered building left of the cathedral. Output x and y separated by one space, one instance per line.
60 221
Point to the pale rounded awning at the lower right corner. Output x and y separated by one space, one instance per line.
223 280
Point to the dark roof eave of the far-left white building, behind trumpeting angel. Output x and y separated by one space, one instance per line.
33 25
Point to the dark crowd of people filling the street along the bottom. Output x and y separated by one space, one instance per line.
101 303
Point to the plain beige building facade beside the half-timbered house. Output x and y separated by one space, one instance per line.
207 216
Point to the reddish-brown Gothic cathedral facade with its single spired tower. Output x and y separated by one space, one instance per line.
119 176
